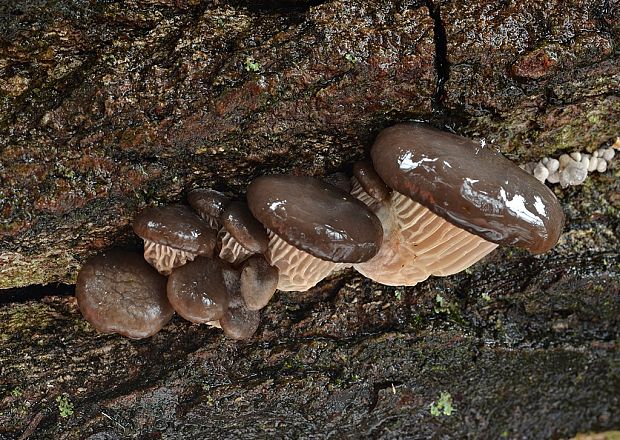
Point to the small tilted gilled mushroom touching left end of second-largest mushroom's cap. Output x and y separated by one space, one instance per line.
241 234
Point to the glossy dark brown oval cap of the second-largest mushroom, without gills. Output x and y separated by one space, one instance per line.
316 217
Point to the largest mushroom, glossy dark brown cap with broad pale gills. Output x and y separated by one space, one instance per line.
453 202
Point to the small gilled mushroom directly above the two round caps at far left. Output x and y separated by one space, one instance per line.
172 236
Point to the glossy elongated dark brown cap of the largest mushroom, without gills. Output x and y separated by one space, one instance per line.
469 185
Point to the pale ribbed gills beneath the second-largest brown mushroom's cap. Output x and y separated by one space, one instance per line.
298 270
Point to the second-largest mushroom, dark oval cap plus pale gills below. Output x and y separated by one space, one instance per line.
314 228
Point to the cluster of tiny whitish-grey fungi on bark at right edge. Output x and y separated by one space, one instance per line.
572 169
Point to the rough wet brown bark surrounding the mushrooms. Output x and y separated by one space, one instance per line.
107 107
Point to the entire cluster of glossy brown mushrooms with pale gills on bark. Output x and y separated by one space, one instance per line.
429 203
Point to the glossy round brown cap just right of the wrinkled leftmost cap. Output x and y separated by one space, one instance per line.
197 290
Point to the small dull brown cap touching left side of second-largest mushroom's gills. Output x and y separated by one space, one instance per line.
258 282
